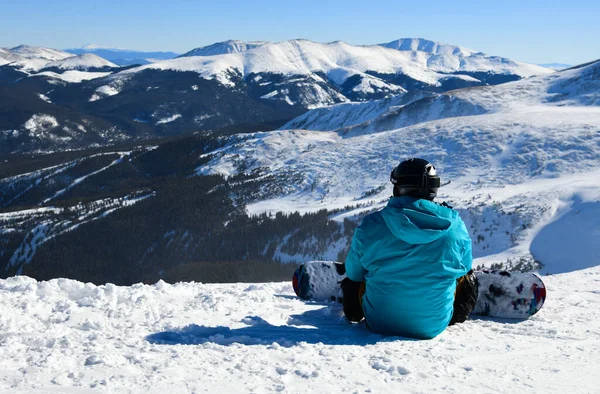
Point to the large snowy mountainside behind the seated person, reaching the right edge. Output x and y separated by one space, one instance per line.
520 156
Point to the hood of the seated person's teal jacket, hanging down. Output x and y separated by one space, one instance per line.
417 221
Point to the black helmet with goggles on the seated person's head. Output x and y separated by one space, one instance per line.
415 178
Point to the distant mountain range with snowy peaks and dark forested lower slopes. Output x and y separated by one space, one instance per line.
51 96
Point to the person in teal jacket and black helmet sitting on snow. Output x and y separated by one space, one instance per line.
409 265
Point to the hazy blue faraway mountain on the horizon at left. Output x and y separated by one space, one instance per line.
123 57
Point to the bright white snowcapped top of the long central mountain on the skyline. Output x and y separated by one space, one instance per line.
338 62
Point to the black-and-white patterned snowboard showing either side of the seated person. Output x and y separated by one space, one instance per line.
502 294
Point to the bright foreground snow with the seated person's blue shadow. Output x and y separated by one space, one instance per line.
68 337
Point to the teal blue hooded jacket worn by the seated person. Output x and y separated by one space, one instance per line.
409 254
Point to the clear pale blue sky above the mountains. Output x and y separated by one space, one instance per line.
527 30
